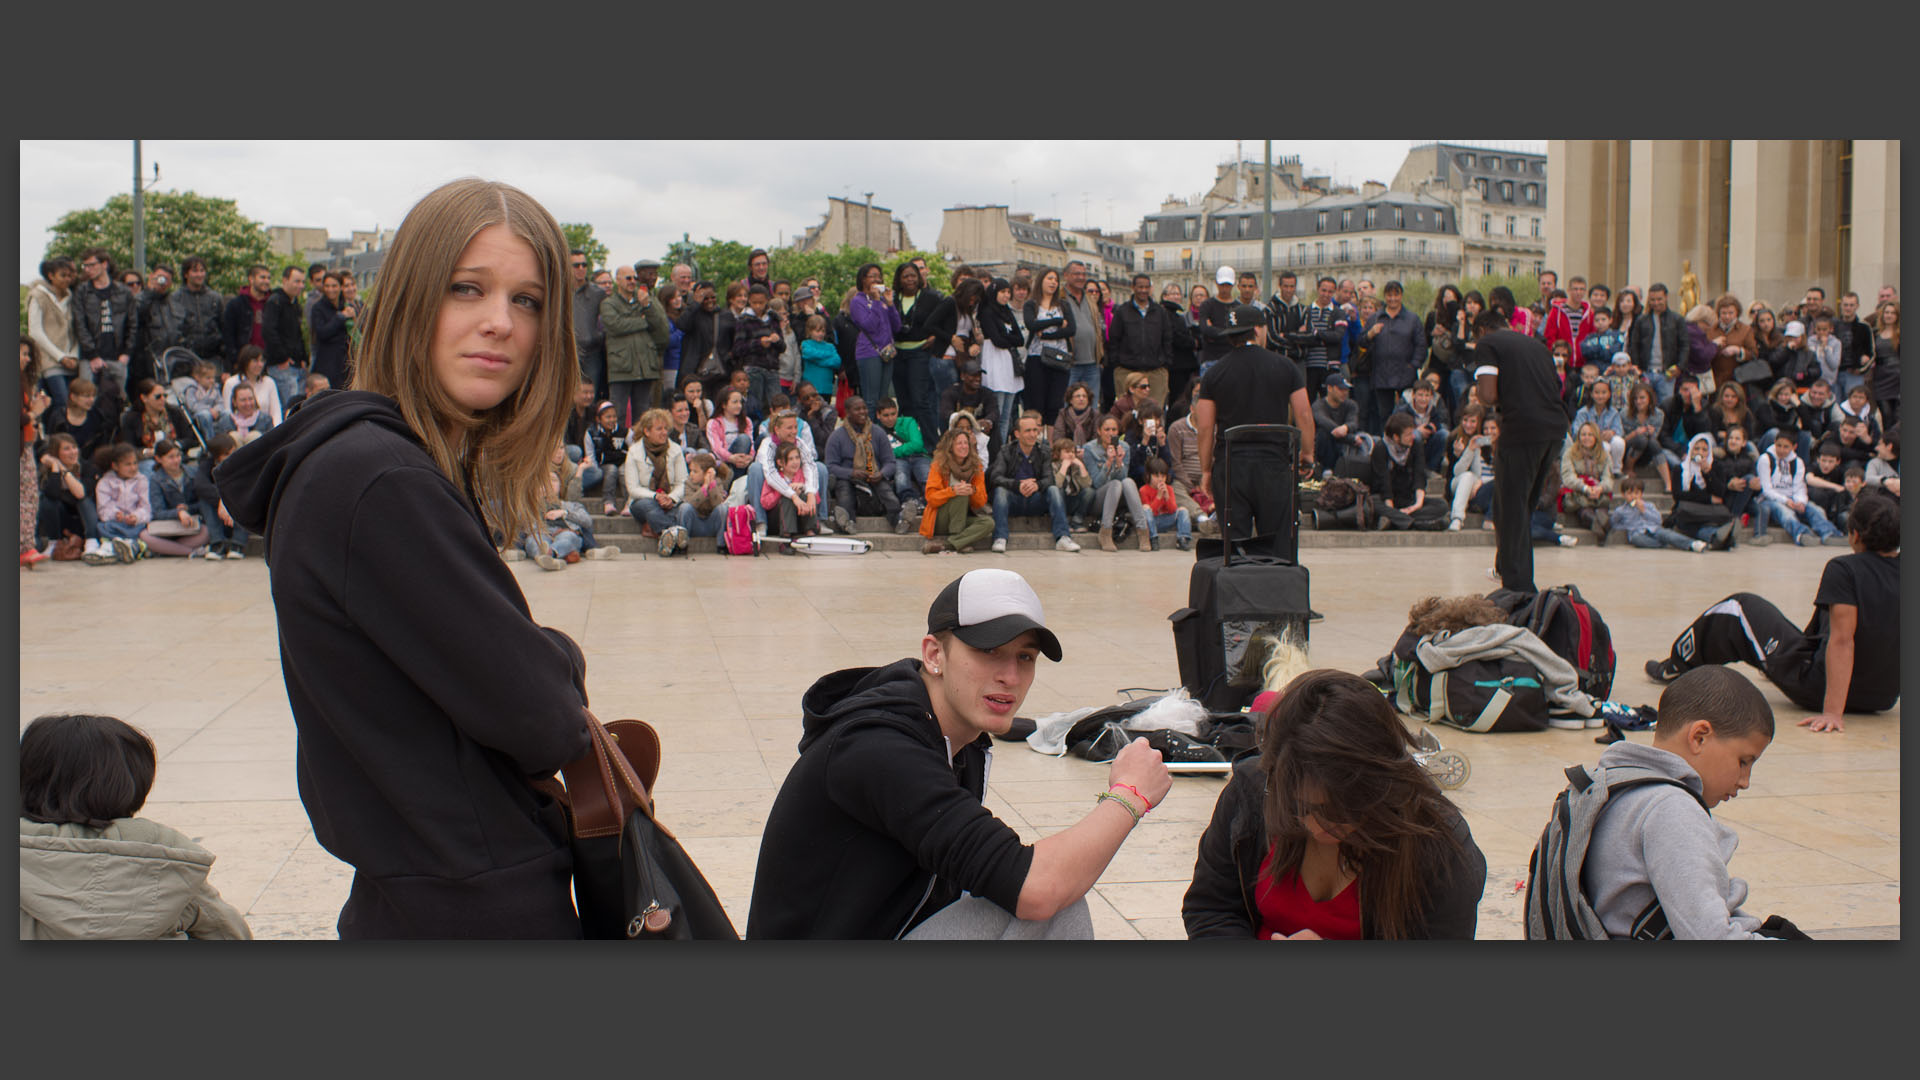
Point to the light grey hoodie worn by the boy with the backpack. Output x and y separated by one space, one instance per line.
1656 841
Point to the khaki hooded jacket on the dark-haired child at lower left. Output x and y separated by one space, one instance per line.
132 881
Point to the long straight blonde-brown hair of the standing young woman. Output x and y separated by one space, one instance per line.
500 456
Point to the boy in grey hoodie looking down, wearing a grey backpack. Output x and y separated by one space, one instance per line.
1662 843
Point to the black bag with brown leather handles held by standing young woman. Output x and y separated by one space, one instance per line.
633 879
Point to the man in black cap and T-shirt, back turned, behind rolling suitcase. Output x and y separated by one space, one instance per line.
1251 385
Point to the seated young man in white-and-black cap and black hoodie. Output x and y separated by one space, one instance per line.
880 827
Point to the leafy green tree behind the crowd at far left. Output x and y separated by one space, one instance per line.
178 226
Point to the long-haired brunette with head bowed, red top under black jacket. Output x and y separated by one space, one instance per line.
1335 831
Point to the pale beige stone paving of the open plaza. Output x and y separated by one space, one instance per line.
717 652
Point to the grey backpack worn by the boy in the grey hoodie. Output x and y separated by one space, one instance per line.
1556 906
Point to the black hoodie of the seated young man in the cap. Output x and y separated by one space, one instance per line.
875 829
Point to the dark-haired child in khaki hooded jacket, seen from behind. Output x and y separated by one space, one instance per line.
87 866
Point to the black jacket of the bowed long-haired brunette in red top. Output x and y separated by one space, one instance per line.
1220 902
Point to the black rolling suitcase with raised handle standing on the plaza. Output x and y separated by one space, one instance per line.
1245 593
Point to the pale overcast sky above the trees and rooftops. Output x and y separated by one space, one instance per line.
642 197
